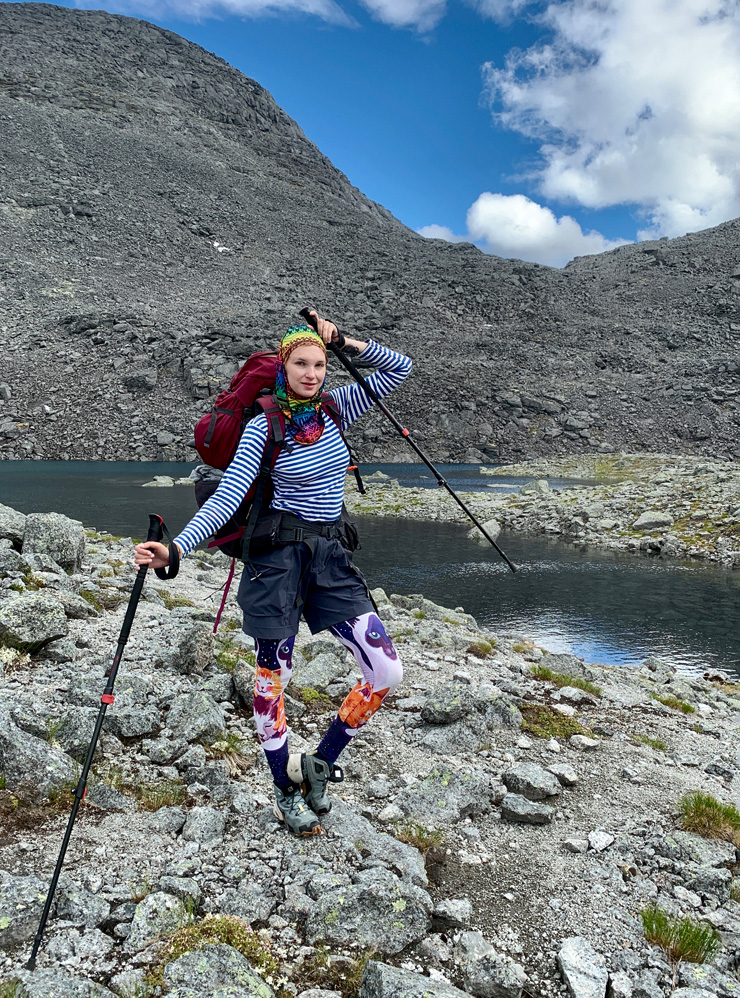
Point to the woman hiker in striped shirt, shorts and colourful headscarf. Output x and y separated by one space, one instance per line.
308 571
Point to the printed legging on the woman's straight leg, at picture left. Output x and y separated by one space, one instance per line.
274 664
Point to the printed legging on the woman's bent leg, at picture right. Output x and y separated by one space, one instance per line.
366 638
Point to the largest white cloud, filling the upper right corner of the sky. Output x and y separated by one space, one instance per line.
633 102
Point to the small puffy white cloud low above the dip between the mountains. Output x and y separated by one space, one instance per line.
512 225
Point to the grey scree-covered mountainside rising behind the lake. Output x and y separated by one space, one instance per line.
161 218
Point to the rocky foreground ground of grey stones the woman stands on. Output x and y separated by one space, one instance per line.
503 822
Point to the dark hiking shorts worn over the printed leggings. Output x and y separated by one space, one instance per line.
317 580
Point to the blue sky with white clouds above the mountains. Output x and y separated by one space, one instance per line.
540 130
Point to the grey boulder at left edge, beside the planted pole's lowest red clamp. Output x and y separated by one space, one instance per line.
32 768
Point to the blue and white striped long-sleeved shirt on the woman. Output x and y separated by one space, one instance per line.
308 480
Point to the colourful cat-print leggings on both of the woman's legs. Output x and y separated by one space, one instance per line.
366 638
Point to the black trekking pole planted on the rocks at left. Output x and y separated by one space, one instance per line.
156 530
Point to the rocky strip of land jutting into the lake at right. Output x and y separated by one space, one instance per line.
661 504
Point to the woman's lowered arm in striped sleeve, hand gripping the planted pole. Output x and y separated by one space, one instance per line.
224 502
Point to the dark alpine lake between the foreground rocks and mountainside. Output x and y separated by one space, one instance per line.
603 606
